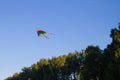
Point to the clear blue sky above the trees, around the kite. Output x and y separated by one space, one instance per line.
74 23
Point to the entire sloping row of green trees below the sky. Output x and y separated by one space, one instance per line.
89 64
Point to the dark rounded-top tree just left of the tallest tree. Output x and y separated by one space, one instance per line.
92 64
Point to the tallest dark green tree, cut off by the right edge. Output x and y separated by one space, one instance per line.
112 56
